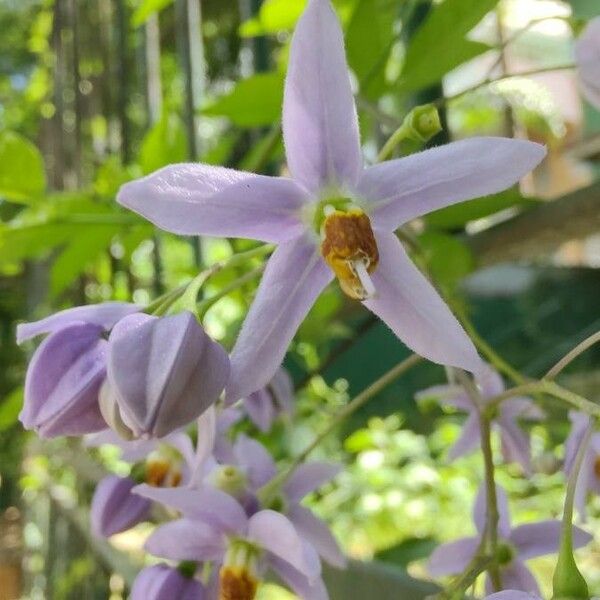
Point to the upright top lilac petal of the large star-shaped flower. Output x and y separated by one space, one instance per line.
320 126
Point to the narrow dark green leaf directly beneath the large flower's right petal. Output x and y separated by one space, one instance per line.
457 216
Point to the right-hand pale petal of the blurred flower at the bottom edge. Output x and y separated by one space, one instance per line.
276 534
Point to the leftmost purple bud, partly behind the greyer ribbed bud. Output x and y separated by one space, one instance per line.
62 383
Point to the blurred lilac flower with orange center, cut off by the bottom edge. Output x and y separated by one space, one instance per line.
215 528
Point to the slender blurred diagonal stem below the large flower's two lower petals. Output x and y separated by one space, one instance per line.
269 490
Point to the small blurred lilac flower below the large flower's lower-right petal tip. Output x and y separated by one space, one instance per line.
515 443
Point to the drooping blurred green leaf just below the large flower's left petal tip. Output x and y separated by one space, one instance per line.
81 250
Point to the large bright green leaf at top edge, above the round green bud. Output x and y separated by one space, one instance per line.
439 46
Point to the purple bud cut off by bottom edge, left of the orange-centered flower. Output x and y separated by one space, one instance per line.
161 582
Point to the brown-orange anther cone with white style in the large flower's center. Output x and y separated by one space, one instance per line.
349 248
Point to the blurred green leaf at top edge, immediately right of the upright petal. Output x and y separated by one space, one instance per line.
368 42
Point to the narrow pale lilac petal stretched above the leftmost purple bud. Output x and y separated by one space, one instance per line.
104 315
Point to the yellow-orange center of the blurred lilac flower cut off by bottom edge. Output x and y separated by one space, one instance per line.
237 578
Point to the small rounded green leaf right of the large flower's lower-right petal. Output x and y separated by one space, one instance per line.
448 259
